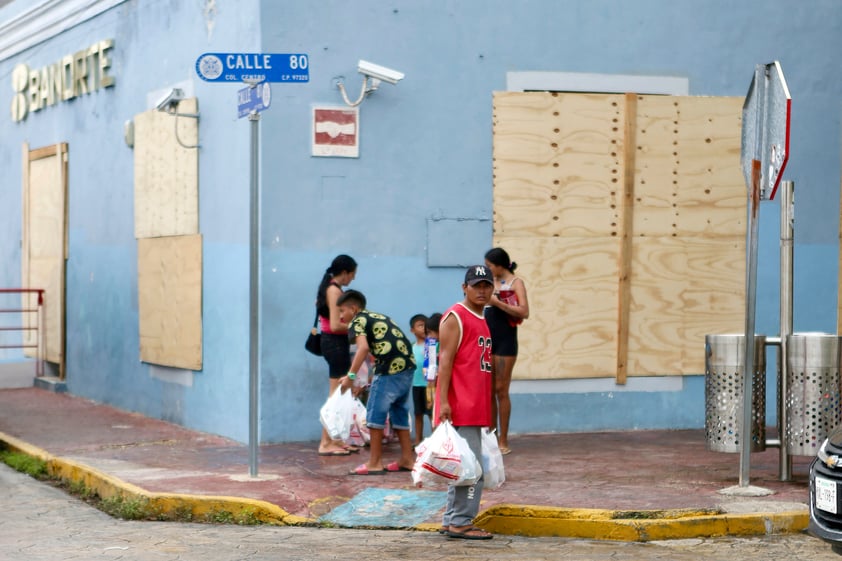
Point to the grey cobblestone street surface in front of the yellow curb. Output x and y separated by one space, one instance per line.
39 522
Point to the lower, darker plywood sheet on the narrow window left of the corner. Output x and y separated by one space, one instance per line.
170 300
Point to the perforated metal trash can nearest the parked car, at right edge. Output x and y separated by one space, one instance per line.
813 388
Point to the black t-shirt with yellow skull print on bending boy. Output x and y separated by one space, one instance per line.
392 349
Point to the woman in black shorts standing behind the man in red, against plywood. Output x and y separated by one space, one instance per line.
507 308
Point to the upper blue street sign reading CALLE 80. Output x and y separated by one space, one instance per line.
256 67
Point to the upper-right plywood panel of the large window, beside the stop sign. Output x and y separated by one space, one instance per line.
688 178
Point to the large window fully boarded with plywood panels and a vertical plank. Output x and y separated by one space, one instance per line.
626 215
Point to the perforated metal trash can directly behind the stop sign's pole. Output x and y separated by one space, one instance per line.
724 393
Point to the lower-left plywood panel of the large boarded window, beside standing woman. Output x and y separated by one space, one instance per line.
572 287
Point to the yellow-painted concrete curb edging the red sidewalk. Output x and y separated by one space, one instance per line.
507 519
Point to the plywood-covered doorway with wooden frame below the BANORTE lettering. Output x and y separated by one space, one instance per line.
44 243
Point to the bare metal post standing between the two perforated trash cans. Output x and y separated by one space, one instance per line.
787 219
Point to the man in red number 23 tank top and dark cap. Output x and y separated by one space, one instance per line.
463 391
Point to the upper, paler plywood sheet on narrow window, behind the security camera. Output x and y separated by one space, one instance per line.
166 174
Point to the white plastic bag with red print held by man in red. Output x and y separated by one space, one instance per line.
445 457
